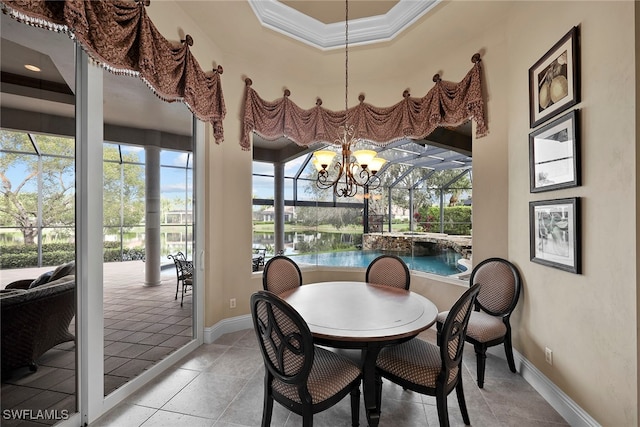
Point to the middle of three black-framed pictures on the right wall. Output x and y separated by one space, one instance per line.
554 154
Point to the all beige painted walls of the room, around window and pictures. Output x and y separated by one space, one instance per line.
588 320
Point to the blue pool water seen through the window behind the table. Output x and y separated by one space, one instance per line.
443 264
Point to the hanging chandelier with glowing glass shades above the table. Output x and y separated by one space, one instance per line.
353 169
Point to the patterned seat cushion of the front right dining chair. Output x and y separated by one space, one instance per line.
416 361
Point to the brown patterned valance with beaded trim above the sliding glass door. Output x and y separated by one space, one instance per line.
120 36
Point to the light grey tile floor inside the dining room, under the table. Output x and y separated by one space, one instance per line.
221 385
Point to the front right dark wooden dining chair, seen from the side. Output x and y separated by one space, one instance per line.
434 370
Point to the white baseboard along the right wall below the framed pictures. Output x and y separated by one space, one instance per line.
566 407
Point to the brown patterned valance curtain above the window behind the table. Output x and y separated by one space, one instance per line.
446 104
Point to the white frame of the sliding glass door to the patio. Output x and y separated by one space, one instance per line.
89 270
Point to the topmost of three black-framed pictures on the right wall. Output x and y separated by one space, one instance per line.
554 81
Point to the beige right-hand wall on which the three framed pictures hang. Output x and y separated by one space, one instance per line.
588 320
